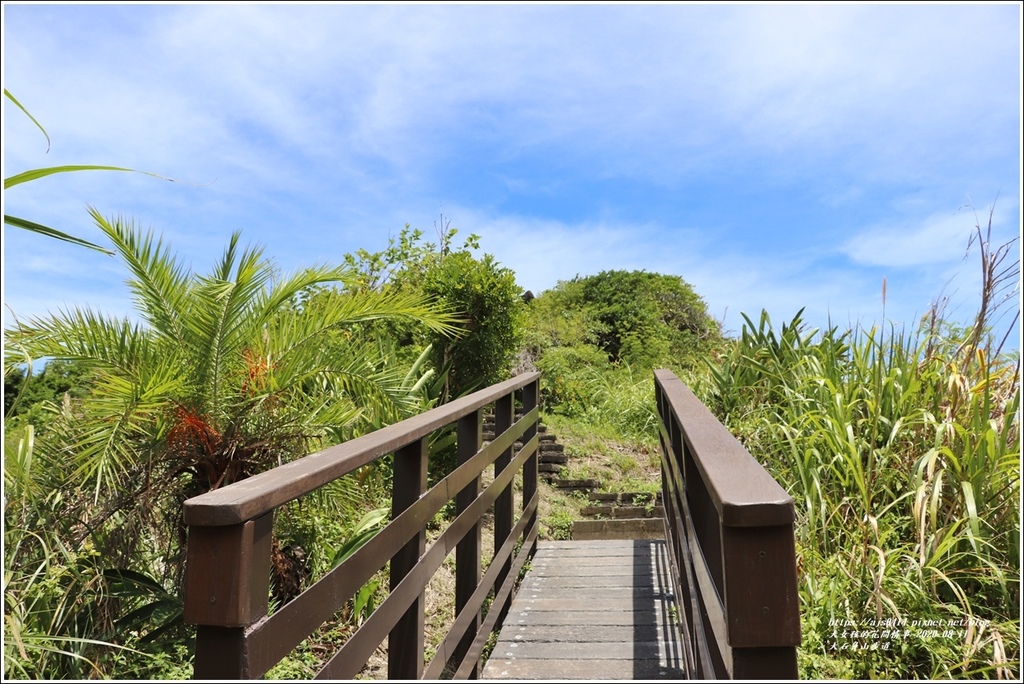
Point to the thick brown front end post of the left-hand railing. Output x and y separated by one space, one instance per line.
228 584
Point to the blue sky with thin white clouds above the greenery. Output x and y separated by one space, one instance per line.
776 157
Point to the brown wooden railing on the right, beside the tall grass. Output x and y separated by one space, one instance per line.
730 530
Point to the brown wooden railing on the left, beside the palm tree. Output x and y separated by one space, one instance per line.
230 547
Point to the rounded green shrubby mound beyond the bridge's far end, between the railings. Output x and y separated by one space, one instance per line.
598 338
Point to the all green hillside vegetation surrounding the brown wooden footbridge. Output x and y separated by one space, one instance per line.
902 447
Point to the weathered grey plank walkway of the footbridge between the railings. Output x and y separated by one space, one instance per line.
599 610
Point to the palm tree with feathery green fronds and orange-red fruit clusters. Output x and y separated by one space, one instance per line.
226 375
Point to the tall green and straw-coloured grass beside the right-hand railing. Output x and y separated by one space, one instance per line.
903 451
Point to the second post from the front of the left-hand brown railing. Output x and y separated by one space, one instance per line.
405 656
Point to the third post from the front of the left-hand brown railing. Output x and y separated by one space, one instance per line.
467 552
